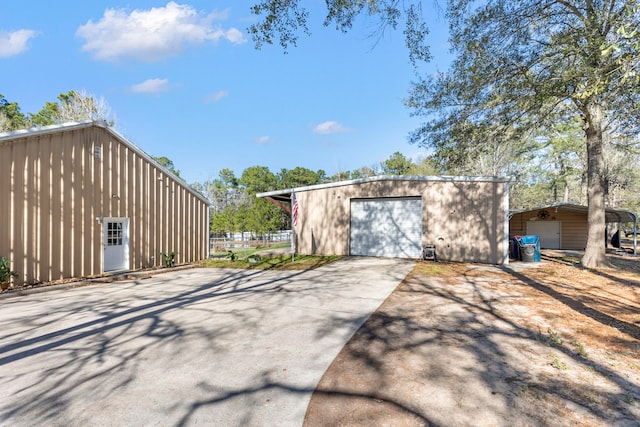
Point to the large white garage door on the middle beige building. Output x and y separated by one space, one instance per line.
386 227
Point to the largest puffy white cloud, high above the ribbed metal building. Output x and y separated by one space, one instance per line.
153 34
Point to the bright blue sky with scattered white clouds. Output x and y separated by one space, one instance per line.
184 80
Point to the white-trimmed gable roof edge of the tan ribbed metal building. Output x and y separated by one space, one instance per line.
70 126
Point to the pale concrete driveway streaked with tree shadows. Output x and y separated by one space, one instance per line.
191 347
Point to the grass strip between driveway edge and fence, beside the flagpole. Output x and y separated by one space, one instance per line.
276 262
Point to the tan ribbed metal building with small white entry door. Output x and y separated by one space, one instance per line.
79 200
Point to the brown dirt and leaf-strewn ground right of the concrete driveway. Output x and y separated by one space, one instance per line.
463 344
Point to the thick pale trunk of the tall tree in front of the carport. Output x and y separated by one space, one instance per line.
594 254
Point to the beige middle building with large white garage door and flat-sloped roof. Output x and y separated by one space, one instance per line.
466 218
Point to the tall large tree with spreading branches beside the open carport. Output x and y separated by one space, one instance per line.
518 62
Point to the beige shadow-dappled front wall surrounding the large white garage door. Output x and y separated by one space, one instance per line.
464 219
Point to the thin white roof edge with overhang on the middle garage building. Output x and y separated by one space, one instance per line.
285 195
